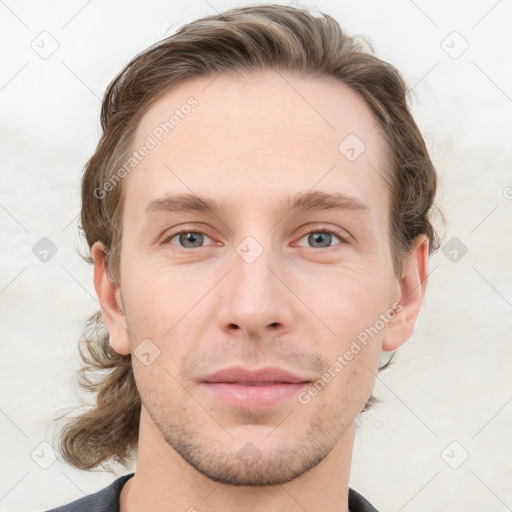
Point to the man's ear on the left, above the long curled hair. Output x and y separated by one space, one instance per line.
110 301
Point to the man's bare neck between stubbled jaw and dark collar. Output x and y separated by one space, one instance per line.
165 481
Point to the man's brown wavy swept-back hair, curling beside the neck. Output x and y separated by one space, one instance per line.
245 39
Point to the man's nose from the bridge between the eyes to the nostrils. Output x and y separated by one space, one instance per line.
254 298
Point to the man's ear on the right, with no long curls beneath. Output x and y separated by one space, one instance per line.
413 283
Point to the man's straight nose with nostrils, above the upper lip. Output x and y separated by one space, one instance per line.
255 299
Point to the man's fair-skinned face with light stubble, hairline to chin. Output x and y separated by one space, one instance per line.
257 283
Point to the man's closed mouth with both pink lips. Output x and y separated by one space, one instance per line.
256 389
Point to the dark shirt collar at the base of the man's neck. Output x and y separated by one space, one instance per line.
107 500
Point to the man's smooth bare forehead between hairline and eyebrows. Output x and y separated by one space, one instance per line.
249 138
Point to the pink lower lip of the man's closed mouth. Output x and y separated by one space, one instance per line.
253 397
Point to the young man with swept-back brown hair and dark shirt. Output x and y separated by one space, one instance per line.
257 211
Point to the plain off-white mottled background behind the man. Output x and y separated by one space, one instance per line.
452 381
